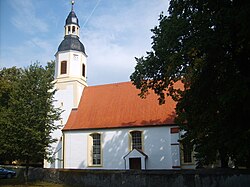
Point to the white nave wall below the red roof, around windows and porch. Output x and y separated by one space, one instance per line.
115 145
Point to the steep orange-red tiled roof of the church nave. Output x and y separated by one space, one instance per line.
118 105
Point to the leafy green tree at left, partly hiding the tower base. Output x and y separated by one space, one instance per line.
31 115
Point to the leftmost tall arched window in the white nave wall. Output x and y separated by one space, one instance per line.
95 151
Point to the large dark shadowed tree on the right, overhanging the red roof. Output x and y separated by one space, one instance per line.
206 45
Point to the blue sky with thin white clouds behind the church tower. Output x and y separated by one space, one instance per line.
113 33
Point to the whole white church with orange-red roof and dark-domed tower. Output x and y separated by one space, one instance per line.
109 126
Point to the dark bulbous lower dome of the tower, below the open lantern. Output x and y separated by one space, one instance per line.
71 42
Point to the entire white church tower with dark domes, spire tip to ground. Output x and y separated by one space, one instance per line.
70 80
